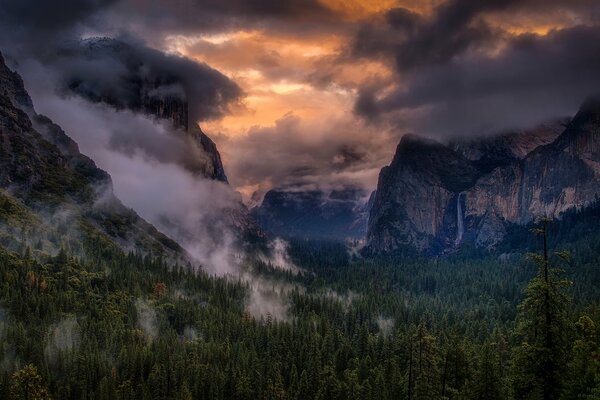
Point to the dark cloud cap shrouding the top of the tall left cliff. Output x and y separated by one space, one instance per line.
121 73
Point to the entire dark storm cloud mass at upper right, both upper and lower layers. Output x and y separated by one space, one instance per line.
445 87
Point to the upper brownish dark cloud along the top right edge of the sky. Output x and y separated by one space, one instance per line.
455 27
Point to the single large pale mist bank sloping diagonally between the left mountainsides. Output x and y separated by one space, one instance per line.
146 161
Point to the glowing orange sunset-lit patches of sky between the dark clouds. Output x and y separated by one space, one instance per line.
307 75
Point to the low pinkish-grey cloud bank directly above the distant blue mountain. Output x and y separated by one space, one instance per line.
297 152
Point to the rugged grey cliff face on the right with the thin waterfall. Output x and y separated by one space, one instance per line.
434 197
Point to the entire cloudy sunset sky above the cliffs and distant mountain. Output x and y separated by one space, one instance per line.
305 94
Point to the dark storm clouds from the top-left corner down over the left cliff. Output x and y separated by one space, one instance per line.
108 69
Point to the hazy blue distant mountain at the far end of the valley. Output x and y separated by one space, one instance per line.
316 214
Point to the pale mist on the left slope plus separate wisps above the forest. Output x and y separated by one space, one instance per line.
144 156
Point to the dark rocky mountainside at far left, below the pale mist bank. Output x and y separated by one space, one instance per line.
50 190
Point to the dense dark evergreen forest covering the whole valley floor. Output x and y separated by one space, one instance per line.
129 327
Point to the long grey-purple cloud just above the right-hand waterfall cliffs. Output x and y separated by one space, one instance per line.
533 78
